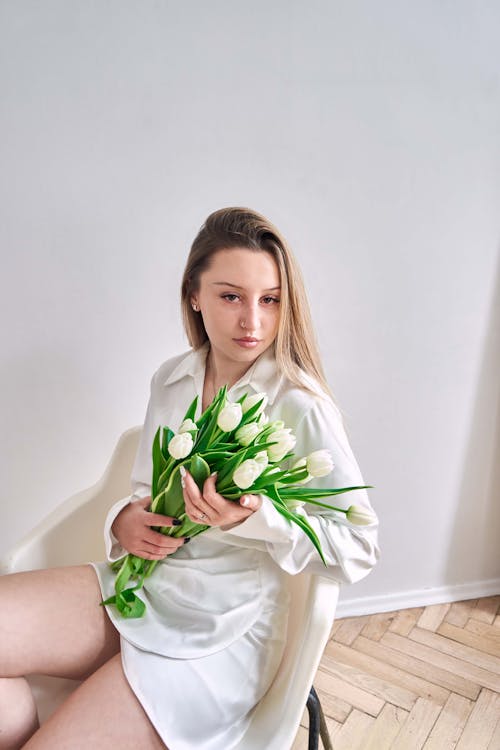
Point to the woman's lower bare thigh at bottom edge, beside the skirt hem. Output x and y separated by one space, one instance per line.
102 713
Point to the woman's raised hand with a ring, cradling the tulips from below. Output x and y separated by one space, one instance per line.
212 509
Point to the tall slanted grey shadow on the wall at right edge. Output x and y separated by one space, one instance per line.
474 552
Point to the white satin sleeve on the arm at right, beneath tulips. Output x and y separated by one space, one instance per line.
350 551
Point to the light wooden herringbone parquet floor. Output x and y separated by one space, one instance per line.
418 678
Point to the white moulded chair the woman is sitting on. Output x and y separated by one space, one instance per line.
72 534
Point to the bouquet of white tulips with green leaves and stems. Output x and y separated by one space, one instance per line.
237 441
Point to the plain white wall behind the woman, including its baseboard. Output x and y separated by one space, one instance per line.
368 132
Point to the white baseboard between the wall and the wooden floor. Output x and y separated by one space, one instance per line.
369 605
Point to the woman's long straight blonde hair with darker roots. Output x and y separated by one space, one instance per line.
295 347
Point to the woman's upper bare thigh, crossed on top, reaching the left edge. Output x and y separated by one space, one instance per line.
52 623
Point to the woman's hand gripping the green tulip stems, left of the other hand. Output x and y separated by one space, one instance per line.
132 529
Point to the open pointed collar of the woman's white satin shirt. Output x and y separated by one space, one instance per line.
262 376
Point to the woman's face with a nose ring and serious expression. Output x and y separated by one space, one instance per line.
239 298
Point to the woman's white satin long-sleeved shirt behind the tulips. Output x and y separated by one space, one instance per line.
213 590
